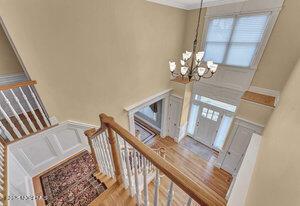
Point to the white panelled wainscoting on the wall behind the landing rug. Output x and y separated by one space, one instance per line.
39 152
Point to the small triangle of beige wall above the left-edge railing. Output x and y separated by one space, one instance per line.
9 63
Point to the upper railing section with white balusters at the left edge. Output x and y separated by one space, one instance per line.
21 113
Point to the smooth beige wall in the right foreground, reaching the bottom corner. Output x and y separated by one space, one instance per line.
276 179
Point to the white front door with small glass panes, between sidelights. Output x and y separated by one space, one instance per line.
208 123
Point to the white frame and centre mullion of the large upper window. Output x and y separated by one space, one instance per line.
260 46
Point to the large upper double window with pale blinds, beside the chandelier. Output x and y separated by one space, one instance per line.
235 40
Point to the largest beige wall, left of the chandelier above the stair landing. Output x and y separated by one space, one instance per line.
96 56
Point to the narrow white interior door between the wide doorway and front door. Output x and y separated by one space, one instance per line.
174 116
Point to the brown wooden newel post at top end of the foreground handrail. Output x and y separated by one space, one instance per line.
112 141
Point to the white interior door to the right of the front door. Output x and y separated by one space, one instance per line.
237 149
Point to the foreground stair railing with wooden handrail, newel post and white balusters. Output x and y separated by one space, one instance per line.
124 157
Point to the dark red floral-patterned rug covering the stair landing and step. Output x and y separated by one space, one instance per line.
72 183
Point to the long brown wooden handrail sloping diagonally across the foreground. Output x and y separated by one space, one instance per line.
201 193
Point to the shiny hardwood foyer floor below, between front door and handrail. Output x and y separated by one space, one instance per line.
192 165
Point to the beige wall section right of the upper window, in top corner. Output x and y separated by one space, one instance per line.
282 50
